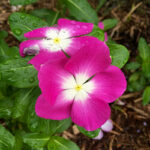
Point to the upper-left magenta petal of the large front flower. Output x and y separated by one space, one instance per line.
51 77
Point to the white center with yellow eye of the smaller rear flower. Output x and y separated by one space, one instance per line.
57 40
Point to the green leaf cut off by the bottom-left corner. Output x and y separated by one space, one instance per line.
7 140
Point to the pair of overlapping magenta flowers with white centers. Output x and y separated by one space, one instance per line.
75 73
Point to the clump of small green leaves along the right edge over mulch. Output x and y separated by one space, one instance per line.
140 68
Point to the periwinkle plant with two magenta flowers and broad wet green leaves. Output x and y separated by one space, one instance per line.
75 76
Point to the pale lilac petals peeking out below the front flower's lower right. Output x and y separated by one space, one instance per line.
106 127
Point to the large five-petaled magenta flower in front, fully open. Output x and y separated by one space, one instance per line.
80 87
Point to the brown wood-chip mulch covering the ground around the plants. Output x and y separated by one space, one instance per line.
132 120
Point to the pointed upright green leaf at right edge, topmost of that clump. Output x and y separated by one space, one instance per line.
144 50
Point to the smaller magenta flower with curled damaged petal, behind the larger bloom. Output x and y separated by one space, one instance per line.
49 42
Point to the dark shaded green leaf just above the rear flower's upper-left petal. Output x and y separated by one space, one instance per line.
48 15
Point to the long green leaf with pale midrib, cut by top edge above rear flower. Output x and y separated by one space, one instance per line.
81 10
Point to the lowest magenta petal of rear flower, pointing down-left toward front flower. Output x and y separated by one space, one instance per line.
44 57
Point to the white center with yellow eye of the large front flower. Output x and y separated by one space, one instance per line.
76 88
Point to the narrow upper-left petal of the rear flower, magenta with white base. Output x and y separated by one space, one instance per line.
44 32
